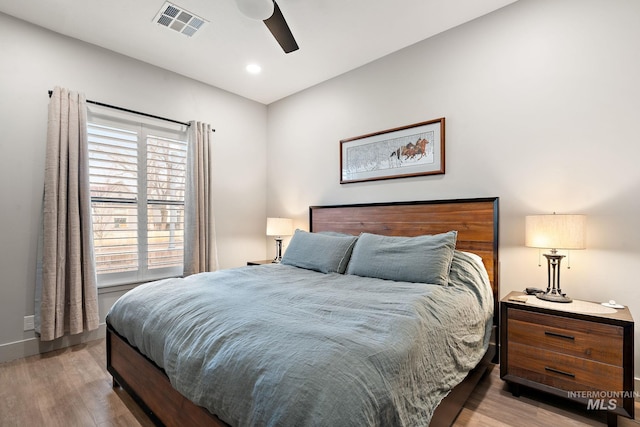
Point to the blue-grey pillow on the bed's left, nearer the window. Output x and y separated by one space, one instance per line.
320 252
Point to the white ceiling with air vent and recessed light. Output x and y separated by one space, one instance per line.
334 36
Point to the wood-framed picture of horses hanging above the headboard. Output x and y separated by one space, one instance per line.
412 150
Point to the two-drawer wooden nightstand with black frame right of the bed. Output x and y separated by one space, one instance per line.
581 351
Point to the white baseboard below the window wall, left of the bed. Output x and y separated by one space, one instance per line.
33 346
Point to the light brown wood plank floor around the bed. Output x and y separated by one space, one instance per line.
71 387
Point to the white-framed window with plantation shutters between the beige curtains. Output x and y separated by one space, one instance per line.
137 179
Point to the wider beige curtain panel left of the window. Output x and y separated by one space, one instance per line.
66 294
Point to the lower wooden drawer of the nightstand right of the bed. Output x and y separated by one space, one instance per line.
561 370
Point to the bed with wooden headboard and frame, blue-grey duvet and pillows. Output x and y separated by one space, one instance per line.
315 373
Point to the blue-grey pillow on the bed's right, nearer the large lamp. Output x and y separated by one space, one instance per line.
421 259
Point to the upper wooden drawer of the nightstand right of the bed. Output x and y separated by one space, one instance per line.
581 338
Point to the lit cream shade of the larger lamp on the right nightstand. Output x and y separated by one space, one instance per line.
555 231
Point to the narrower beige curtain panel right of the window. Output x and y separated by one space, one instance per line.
199 232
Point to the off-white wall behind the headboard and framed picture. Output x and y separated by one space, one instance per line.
542 103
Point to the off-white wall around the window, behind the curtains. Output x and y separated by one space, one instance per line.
33 61
